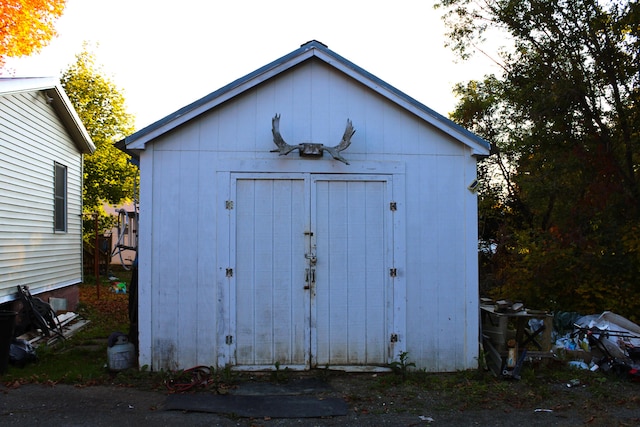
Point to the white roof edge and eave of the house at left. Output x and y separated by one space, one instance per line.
60 102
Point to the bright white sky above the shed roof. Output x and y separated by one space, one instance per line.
163 55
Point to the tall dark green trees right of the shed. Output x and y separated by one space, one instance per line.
561 198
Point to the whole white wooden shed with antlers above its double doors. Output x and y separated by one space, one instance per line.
250 257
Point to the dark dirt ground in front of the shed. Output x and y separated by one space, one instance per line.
373 400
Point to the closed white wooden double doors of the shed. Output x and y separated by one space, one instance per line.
312 284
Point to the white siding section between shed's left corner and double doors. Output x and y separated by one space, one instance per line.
183 308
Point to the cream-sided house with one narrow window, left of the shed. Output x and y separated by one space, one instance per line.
42 143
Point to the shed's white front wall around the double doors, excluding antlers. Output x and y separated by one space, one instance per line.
185 294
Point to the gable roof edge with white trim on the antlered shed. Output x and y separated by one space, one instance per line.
312 49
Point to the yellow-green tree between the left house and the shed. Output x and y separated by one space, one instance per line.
109 177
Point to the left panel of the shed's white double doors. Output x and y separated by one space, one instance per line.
271 304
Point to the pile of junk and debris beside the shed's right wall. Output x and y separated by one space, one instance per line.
513 334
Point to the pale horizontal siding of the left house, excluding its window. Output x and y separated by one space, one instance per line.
32 139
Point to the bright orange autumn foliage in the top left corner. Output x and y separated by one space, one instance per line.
26 26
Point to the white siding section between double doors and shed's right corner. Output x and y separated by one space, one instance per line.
441 288
